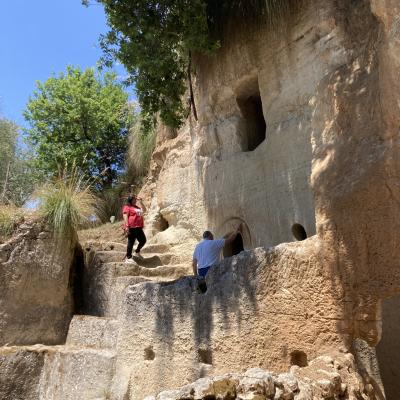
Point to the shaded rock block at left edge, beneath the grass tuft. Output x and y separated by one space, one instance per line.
35 287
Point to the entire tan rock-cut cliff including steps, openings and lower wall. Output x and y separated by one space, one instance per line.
298 136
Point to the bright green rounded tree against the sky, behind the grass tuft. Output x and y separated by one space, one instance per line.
80 118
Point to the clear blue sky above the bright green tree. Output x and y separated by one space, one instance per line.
39 38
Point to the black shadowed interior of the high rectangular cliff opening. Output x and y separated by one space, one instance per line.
255 125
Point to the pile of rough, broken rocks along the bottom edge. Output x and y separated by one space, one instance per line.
325 378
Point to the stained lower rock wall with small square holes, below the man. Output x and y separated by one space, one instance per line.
260 308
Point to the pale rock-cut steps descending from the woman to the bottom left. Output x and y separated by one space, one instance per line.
84 367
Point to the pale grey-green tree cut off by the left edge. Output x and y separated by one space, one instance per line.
17 179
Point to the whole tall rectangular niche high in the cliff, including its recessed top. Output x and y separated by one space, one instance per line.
250 105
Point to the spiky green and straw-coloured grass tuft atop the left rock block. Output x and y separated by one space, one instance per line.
67 203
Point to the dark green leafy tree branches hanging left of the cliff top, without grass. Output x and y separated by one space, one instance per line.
152 39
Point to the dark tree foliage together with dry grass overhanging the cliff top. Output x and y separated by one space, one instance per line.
154 39
